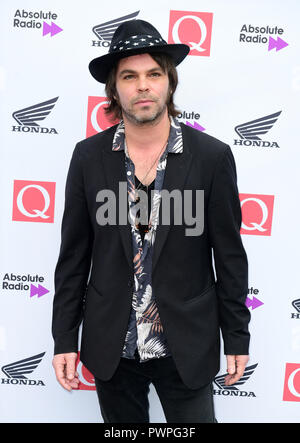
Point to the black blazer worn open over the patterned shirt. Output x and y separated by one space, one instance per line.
195 298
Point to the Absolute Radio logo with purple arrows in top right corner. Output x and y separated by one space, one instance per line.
263 35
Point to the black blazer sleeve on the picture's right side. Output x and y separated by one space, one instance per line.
230 259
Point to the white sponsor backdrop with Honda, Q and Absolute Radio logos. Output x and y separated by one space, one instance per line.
241 84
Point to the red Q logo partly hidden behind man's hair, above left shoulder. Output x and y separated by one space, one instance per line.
97 121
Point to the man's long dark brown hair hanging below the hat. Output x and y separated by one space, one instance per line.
114 110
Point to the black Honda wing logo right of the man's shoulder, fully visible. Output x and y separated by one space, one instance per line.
250 133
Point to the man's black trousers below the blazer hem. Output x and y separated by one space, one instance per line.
124 398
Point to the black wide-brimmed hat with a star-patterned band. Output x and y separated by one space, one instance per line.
131 38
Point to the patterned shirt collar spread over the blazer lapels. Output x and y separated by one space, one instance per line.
175 143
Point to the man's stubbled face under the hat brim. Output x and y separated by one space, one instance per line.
143 89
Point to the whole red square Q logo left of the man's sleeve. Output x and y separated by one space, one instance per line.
33 201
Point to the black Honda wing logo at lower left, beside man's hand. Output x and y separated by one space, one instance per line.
17 372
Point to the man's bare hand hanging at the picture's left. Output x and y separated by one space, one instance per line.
64 366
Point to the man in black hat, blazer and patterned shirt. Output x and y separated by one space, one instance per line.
146 290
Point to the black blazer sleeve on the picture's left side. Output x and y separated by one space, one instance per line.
73 265
